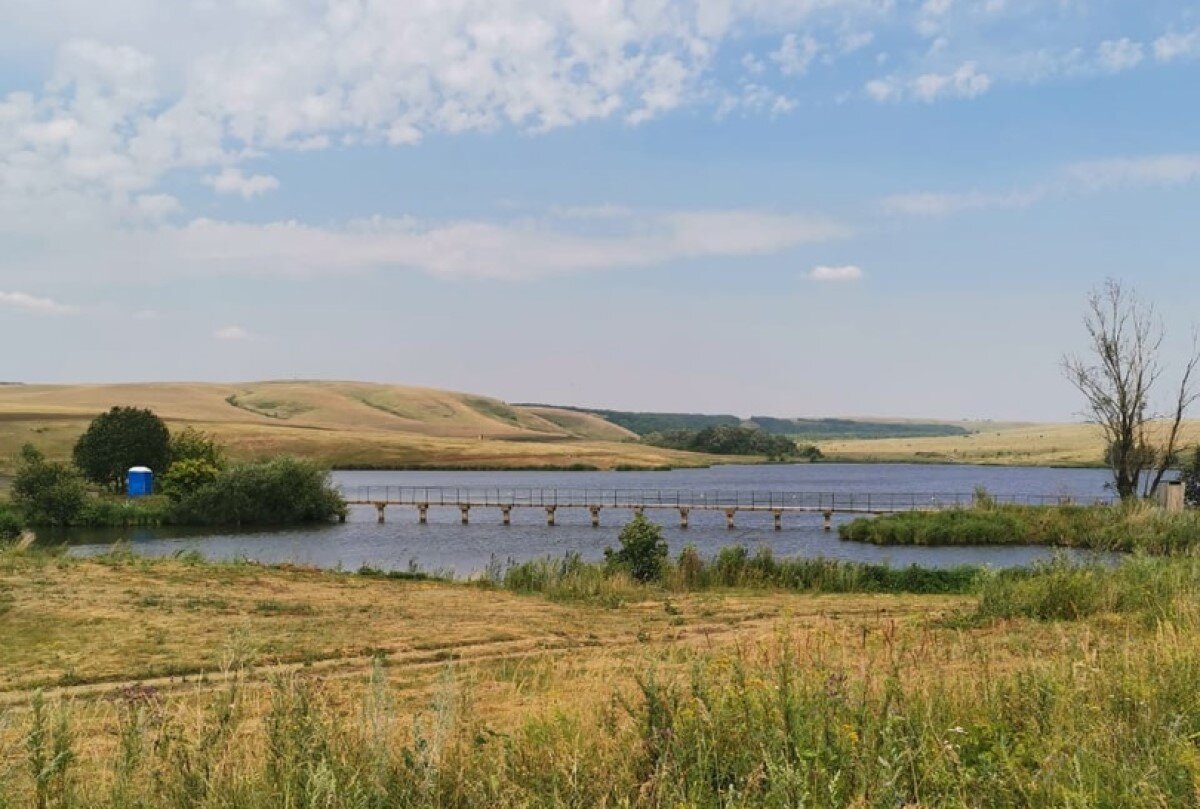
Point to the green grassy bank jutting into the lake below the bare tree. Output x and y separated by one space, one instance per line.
1130 528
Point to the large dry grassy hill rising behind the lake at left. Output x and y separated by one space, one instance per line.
345 424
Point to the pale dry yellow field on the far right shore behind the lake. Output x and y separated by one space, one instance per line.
1031 445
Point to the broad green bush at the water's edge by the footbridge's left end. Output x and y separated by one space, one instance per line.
281 492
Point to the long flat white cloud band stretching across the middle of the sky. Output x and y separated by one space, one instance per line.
571 242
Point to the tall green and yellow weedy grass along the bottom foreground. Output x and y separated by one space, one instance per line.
776 726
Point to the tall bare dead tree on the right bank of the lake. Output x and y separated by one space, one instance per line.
1118 381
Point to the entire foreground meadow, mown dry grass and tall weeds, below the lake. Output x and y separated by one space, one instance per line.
127 682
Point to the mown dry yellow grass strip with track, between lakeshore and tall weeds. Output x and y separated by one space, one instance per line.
89 626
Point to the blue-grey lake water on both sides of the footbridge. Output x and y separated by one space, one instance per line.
446 546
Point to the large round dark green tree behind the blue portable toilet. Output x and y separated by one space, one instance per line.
122 439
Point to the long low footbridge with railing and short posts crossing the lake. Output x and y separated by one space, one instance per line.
685 502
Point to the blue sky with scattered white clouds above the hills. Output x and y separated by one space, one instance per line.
752 207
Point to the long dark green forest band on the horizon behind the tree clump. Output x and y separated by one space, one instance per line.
811 430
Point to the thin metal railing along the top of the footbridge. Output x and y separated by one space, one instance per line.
686 499
